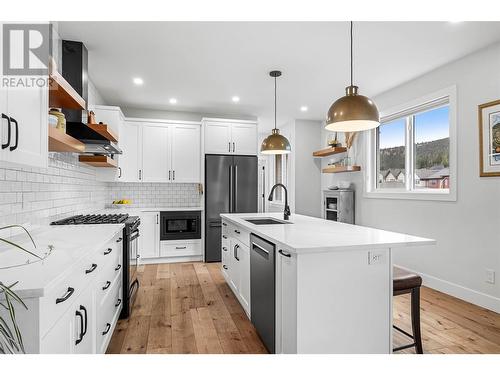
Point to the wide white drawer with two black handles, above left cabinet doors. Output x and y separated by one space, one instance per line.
63 295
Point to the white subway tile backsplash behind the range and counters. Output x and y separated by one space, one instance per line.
67 187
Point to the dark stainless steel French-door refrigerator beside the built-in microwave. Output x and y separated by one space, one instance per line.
230 187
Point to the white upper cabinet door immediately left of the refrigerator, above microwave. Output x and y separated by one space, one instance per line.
186 149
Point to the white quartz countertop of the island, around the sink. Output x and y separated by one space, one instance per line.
310 234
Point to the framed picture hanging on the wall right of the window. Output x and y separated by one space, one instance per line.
489 139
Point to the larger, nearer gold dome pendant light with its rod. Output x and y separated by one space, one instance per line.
352 112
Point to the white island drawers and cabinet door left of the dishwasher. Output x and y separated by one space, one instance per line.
236 263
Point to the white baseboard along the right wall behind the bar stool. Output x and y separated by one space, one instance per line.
469 295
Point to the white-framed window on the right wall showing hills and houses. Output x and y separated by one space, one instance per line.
410 152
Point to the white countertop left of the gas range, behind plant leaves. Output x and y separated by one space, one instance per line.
71 243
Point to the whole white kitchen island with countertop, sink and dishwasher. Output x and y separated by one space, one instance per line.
331 283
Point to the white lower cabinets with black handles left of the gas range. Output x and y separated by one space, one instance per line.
79 315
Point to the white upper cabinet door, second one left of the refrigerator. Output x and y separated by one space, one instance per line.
156 153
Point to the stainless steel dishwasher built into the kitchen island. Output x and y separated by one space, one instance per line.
263 290
